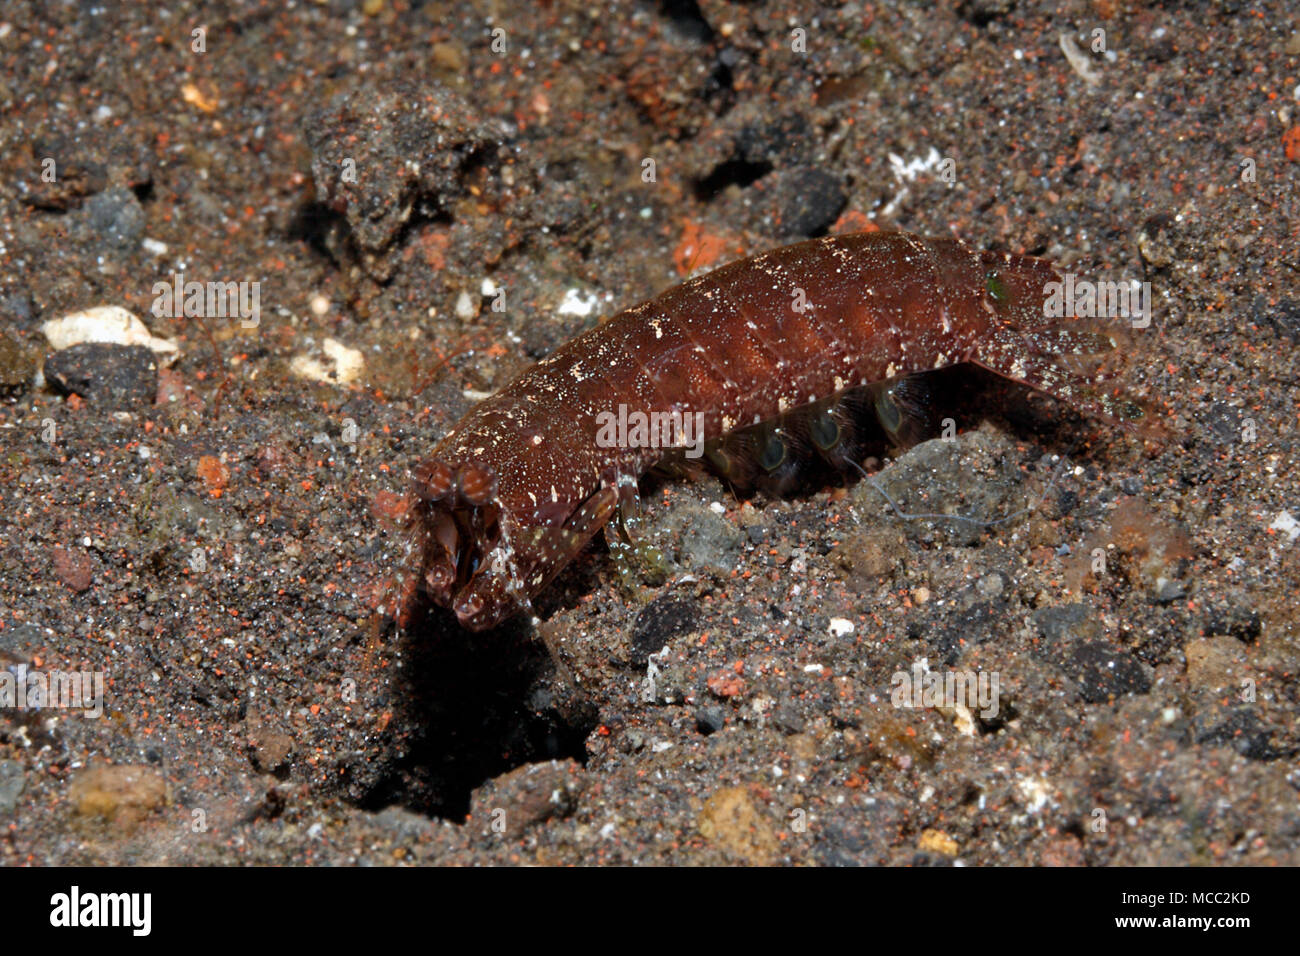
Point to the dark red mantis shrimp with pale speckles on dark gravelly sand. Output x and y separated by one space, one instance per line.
742 345
